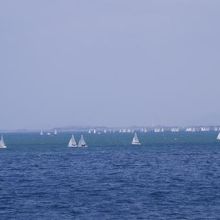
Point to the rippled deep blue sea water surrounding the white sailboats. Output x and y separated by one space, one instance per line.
173 176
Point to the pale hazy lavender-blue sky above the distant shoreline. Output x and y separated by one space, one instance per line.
109 62
